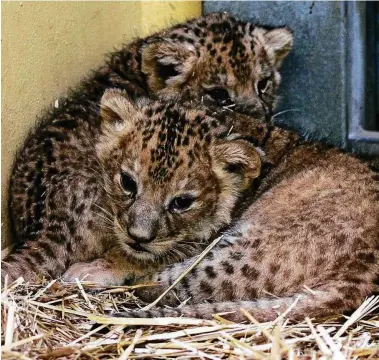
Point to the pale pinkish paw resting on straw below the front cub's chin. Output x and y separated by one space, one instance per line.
98 271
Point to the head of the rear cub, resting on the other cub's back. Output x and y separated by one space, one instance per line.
220 61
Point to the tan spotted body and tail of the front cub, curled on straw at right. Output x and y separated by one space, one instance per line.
314 224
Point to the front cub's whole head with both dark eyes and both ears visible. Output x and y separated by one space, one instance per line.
172 176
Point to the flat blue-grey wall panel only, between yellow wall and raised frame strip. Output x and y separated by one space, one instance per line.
313 74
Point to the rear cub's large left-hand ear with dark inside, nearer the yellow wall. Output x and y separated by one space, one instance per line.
167 63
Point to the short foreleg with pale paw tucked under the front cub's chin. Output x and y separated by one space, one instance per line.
115 268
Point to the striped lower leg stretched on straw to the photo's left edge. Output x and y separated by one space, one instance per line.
67 238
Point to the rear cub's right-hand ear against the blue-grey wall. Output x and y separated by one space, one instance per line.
278 43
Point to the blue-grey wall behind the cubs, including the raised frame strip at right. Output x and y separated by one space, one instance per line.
324 88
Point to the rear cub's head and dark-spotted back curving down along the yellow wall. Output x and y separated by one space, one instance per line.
187 62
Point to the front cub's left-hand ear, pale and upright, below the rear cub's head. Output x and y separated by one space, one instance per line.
117 111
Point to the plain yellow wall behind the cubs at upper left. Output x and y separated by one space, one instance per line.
49 46
